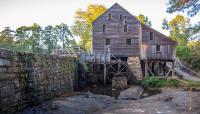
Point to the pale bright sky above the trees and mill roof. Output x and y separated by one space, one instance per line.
16 13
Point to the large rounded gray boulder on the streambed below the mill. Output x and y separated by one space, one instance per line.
132 93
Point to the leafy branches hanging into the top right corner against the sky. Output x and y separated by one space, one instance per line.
191 6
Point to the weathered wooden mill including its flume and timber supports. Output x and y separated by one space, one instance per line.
123 36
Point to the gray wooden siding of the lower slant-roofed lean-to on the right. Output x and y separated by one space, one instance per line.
148 47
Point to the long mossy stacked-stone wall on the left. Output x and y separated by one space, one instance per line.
27 78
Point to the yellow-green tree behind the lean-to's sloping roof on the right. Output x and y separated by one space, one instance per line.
179 28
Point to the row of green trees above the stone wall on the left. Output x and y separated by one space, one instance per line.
36 39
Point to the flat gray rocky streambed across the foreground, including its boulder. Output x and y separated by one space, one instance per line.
133 100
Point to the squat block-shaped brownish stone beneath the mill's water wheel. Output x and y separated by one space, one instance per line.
119 82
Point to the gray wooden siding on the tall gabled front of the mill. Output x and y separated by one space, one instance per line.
115 32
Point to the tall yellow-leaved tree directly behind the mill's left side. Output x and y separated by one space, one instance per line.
83 24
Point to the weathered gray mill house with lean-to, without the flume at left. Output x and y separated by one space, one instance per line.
125 36
